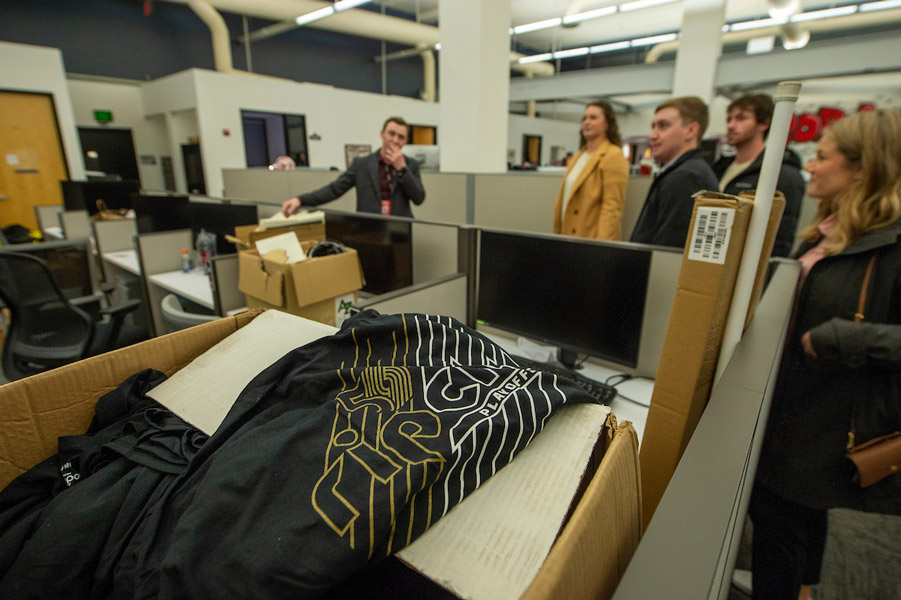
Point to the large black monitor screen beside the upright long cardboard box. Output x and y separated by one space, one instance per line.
580 295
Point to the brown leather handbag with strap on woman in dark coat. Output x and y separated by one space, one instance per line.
880 457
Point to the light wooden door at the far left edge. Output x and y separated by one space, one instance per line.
31 157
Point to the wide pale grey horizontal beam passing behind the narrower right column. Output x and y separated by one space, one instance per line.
849 56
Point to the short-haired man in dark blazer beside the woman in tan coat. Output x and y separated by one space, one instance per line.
676 132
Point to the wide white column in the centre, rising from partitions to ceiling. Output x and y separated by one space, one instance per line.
474 85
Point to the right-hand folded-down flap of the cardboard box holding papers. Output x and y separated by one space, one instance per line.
326 277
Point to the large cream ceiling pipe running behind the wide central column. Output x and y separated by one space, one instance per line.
361 23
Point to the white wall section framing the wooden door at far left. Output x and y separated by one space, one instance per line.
35 69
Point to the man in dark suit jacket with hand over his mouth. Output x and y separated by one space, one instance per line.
386 180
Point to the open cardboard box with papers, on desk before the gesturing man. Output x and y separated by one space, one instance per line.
316 288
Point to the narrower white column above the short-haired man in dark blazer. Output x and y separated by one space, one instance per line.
699 48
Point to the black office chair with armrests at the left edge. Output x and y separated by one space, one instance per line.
46 330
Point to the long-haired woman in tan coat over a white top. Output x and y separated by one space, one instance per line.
591 196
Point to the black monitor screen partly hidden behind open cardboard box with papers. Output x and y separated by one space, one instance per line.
385 247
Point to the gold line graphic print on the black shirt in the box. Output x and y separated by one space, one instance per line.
378 440
